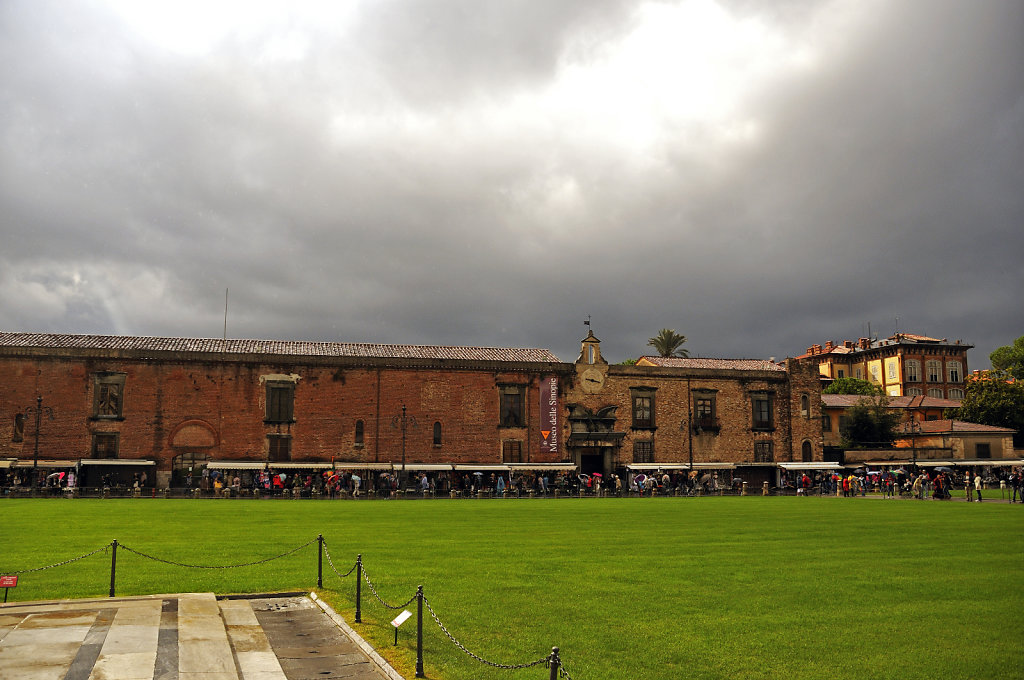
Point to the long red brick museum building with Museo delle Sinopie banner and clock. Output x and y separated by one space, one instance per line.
122 405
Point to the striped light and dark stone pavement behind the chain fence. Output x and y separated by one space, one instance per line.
190 636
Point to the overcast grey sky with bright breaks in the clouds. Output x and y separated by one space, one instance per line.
760 177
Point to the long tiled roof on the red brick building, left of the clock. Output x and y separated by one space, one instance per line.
280 348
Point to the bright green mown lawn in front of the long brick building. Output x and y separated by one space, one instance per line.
635 588
